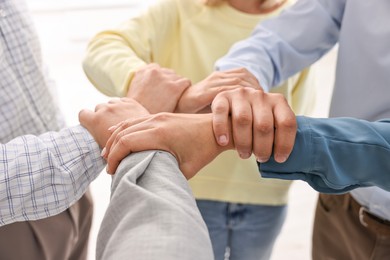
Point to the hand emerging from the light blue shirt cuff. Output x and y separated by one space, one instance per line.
199 96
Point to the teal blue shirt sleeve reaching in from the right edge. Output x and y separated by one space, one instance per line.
337 155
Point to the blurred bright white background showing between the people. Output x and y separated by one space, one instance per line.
65 27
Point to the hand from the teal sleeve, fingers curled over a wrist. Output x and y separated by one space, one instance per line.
261 123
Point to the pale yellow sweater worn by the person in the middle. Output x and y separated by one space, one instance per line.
189 37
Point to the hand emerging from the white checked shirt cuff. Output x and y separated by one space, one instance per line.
107 115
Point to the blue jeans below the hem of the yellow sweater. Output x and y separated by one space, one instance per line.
242 231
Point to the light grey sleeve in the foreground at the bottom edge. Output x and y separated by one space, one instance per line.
152 213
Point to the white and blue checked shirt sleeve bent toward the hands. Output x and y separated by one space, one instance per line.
41 176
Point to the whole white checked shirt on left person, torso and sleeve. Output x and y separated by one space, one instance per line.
41 173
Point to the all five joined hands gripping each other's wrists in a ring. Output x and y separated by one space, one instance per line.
195 123
